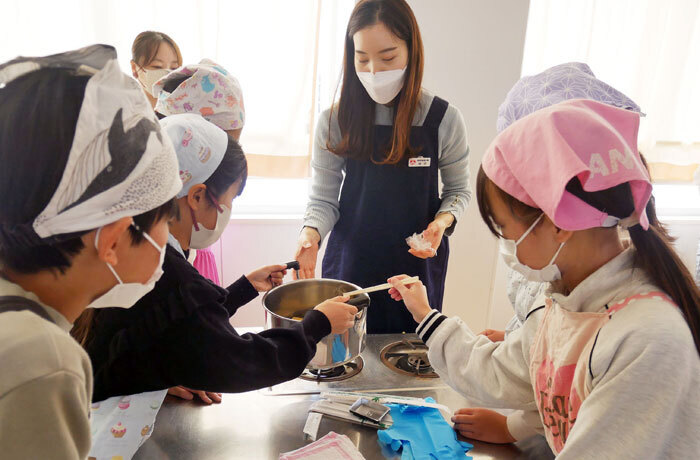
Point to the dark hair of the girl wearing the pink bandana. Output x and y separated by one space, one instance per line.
654 252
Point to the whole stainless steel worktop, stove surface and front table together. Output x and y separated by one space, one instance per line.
262 424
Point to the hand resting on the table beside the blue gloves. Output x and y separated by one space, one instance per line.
482 425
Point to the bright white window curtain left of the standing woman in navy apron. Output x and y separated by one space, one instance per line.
274 47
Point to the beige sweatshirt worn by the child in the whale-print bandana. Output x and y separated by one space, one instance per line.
45 385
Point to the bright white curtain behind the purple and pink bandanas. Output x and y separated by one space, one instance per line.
648 49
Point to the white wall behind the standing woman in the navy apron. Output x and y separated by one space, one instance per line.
473 54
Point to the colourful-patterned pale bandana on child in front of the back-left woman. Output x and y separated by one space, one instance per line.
209 91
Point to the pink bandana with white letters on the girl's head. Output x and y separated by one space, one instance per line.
534 159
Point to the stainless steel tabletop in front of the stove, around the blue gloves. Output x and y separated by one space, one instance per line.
257 426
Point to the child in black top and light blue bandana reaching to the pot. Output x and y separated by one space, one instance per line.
181 329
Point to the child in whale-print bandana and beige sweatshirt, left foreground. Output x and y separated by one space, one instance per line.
67 244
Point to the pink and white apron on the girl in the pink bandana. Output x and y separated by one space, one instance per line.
559 361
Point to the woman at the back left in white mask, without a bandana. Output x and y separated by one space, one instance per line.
153 56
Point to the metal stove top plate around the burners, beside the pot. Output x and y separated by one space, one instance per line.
375 376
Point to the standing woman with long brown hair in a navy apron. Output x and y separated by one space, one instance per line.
389 139
